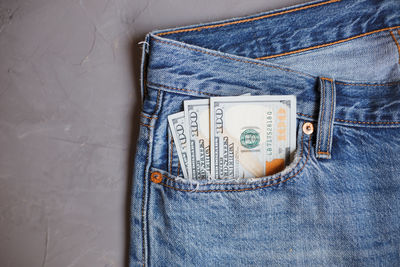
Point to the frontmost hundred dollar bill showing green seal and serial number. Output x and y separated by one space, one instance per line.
251 136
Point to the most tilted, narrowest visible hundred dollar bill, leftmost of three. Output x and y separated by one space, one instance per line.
179 132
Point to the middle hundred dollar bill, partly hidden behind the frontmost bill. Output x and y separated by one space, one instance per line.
197 116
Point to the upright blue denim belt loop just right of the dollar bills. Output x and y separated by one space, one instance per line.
326 118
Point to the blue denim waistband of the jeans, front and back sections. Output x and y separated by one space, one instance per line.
198 60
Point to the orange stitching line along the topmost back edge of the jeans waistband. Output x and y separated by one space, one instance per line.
247 20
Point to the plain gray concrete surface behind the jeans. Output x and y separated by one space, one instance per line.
69 101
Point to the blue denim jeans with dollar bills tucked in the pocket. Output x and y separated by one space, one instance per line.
338 202
